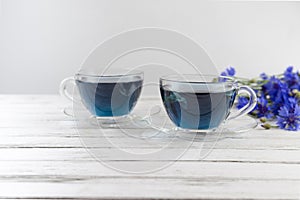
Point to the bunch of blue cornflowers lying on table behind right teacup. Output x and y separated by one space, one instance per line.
278 98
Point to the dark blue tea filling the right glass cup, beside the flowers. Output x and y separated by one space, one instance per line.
197 110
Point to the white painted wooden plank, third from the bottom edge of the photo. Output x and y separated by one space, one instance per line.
196 155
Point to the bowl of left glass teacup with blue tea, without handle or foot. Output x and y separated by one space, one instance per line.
110 96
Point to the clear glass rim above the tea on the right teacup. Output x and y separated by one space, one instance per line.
197 78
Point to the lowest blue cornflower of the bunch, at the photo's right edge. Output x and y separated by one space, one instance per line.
289 115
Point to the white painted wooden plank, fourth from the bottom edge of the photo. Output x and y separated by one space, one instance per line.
124 142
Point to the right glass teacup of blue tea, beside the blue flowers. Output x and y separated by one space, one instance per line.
202 103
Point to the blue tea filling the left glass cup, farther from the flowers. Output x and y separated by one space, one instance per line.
110 98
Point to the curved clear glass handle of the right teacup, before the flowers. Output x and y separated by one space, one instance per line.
249 106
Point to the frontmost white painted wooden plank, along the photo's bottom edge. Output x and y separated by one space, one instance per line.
139 188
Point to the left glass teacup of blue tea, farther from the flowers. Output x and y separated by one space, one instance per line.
109 98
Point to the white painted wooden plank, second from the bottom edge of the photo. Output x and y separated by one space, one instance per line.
31 170
